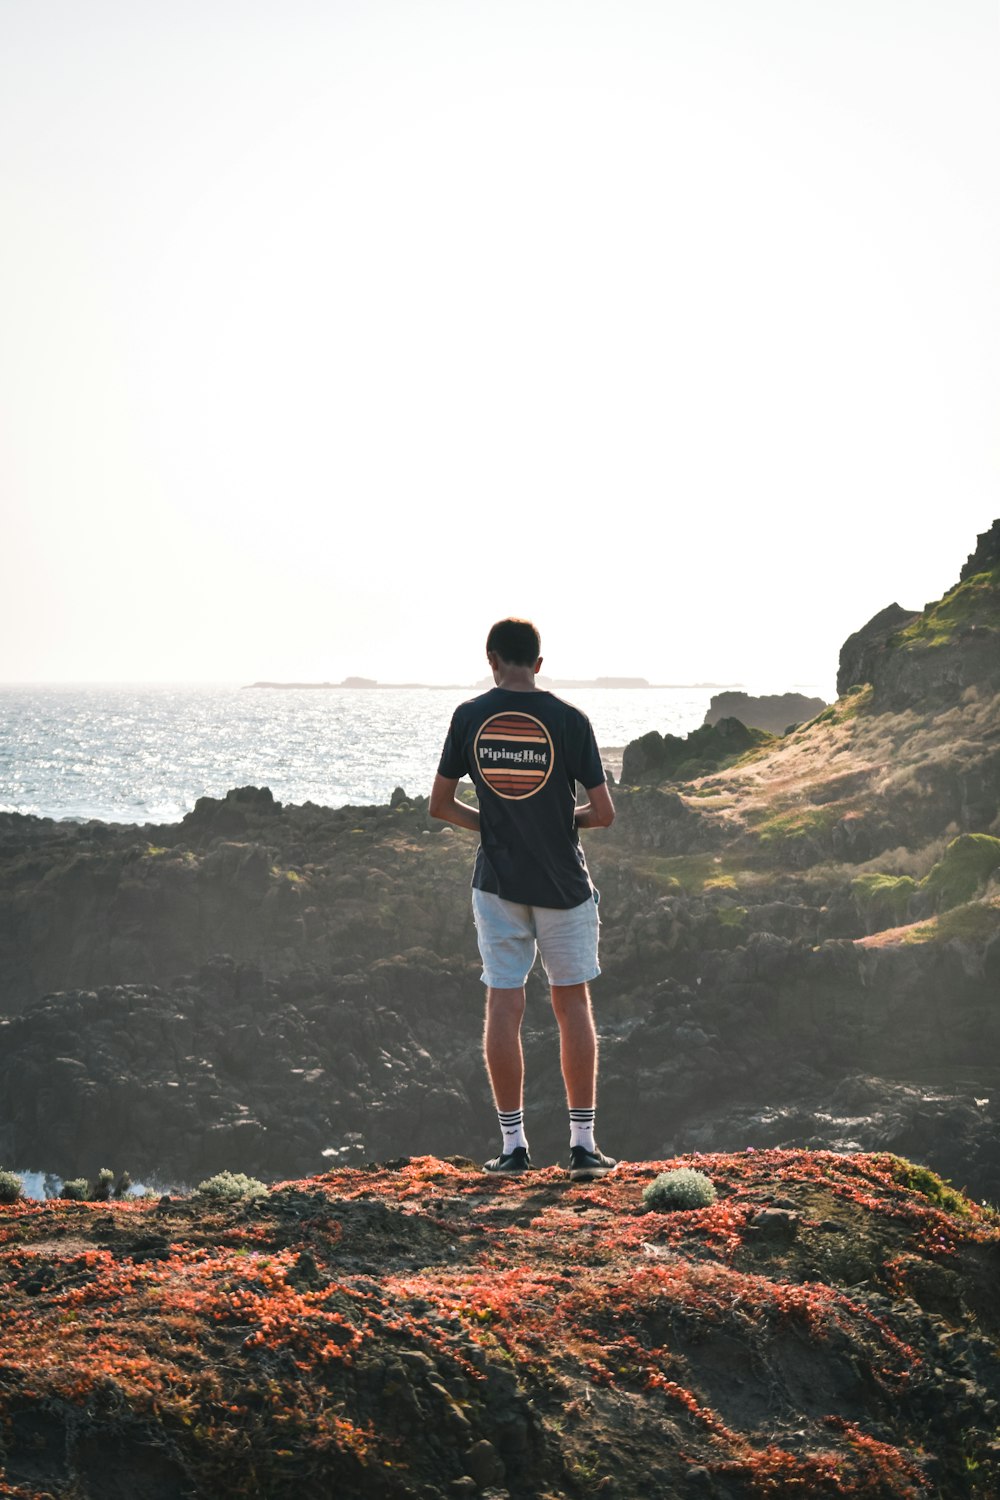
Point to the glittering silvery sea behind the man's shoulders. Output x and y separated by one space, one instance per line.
146 754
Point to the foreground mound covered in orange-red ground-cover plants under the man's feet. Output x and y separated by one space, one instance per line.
818 1324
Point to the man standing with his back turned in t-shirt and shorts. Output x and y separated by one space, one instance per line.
525 752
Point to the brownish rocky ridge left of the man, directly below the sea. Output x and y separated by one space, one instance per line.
290 889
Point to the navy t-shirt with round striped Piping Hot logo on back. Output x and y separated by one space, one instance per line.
525 752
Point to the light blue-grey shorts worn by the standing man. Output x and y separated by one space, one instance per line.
510 935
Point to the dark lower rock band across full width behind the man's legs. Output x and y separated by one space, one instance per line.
233 1069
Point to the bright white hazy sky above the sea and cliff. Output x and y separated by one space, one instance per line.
334 331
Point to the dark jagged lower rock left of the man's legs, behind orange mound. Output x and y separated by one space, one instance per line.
232 1070
